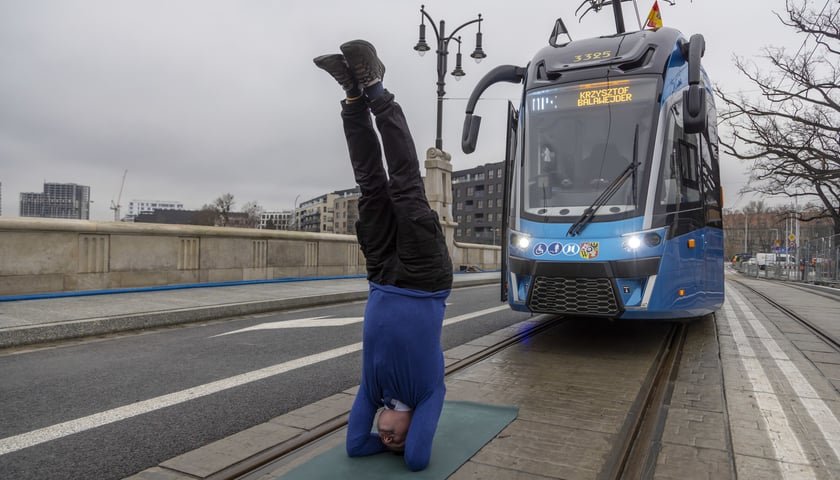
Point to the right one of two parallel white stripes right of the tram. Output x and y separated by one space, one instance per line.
817 409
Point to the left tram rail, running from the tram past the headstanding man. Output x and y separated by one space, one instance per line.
259 464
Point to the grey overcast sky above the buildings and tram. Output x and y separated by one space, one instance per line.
197 98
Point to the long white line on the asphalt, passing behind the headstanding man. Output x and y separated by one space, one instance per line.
54 432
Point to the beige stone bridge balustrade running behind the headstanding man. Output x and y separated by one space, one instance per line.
50 255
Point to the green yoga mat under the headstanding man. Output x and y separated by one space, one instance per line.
464 428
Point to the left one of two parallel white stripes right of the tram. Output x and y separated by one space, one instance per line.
784 442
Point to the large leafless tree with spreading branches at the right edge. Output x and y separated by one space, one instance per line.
791 133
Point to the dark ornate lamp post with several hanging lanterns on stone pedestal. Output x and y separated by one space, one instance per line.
442 44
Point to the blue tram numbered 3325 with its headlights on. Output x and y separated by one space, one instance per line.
612 185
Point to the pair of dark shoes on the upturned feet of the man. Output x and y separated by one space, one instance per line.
357 66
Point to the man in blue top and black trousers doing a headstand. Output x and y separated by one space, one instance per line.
409 269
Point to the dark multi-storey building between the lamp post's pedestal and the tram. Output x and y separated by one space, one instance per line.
477 203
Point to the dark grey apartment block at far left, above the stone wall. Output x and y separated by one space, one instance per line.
58 200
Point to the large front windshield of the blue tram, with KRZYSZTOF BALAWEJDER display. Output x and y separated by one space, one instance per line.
579 139
